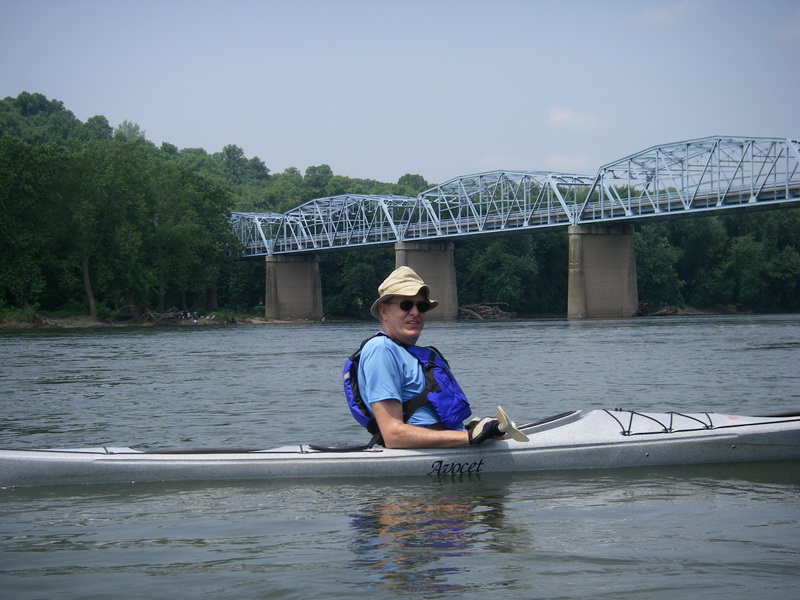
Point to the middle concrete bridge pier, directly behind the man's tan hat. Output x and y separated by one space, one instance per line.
434 262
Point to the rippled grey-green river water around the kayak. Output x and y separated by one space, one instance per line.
690 532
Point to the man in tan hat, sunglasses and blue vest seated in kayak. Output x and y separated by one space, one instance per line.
391 375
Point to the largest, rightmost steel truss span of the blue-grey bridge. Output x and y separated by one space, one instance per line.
695 176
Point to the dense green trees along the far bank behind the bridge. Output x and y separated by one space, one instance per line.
94 219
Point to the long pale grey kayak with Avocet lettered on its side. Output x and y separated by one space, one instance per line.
597 439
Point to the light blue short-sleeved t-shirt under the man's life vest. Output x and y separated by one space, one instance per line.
387 371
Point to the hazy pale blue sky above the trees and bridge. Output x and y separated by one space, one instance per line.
441 88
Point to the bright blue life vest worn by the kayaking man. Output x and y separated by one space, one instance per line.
441 390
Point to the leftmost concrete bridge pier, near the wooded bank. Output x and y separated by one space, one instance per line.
294 287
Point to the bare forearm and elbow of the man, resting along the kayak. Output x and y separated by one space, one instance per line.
396 434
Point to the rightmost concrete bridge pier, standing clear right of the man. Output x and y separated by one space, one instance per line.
602 272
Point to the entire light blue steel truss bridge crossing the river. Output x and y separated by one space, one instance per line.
690 178
